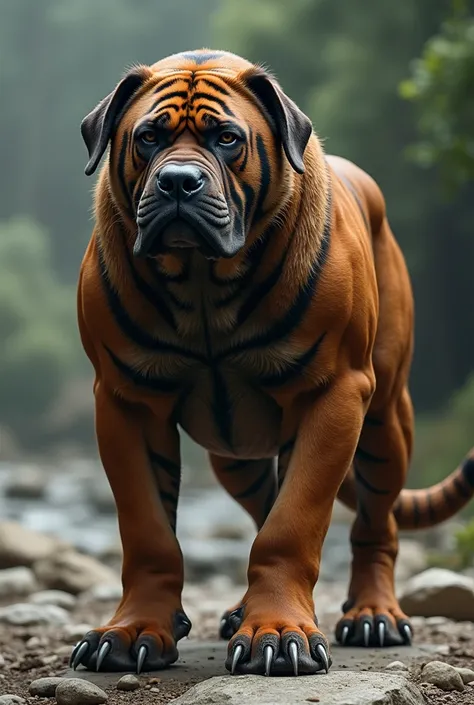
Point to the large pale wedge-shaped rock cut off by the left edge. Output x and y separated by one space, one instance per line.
19 546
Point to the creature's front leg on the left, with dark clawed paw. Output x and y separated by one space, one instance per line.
149 620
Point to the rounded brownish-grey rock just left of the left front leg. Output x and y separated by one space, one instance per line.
72 571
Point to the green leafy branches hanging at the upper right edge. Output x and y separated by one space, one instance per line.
442 88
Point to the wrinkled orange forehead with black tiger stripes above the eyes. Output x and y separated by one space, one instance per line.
203 88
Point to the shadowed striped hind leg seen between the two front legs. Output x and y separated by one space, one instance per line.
253 484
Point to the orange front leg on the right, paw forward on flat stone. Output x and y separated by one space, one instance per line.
279 633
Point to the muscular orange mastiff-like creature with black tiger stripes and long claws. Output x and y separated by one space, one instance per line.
243 286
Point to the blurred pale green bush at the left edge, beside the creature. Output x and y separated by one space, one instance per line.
40 343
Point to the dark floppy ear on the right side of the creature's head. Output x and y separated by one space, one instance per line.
293 125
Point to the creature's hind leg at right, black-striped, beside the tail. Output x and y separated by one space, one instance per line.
372 615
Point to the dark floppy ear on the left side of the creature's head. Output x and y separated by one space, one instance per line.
97 126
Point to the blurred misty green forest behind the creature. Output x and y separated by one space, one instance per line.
388 85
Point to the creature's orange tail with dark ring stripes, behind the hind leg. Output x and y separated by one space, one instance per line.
420 509
